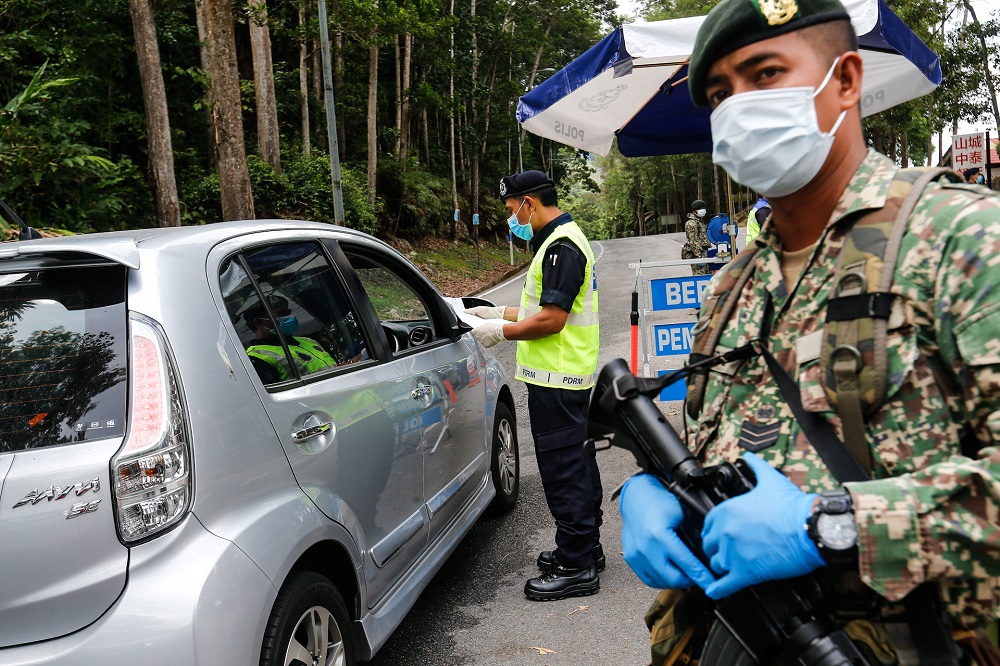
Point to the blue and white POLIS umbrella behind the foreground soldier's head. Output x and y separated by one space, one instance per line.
633 85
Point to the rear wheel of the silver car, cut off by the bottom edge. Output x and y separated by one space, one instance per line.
309 624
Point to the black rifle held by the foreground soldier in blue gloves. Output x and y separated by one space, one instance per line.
778 620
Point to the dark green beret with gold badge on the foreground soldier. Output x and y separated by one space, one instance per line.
733 24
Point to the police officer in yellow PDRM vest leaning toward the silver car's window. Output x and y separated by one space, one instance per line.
558 338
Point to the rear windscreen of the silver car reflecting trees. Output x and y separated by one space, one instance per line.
63 352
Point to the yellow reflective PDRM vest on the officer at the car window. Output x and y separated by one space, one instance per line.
567 359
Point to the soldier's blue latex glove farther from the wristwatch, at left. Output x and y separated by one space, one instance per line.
650 517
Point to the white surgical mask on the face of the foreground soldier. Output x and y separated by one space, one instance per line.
770 140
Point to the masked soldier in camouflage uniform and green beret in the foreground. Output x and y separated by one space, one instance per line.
931 508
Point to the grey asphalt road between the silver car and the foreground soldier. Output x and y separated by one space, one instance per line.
474 611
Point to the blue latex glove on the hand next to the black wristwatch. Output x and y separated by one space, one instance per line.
761 535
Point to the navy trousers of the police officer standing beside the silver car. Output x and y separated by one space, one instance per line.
570 476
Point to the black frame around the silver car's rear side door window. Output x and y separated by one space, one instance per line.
377 344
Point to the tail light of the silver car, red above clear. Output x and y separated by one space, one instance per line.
151 473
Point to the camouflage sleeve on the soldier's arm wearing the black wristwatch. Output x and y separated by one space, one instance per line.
941 521
